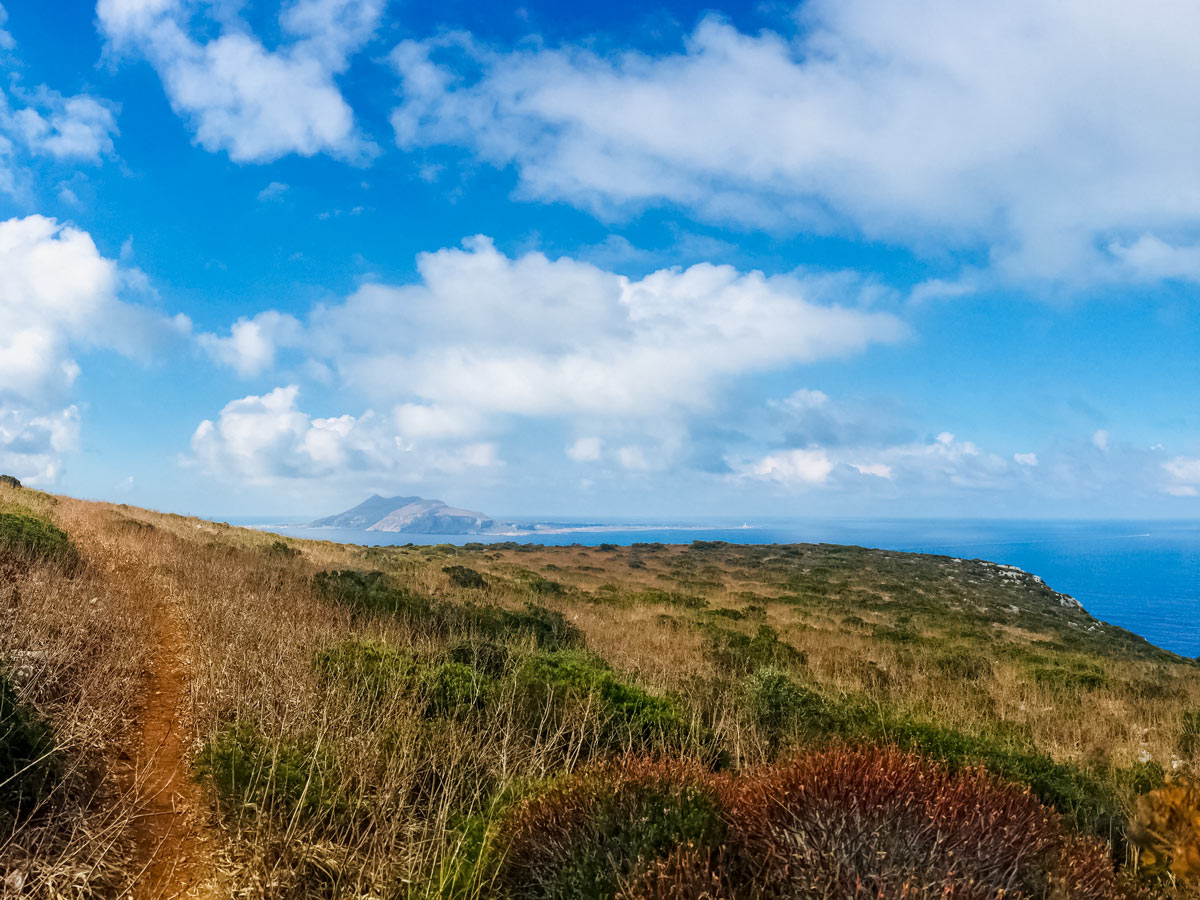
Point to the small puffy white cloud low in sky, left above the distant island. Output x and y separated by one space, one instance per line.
267 440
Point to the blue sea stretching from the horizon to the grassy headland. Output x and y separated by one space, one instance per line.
1141 575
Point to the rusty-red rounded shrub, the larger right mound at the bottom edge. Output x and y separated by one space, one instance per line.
884 824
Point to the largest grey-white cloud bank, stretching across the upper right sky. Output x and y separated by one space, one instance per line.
1057 136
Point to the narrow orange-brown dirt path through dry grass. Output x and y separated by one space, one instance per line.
173 849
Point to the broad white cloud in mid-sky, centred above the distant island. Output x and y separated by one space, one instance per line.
539 338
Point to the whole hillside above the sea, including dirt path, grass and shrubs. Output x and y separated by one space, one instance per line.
193 707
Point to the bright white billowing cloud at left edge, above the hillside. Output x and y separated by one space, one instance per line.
58 297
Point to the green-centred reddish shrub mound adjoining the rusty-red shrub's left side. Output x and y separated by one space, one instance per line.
583 837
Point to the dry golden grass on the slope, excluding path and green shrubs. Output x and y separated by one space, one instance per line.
254 626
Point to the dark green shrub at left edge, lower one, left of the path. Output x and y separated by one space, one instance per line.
29 765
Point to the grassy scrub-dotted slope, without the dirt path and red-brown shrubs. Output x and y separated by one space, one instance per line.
365 775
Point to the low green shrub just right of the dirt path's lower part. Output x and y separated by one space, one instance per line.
273 778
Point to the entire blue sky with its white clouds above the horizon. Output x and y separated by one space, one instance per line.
847 259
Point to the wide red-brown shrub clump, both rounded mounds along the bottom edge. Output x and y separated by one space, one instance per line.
841 824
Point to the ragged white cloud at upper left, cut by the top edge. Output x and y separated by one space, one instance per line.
255 104
